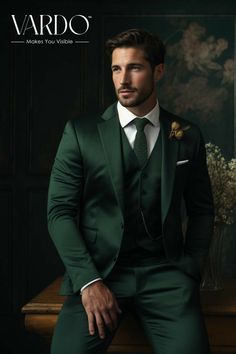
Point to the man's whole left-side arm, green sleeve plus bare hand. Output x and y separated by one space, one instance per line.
64 200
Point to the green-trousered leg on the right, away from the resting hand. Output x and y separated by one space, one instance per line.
168 304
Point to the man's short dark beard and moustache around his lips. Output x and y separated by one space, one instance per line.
138 96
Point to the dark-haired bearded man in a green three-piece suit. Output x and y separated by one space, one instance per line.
125 174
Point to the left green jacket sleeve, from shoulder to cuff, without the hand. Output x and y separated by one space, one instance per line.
64 198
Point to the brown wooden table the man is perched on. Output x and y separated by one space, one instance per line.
219 308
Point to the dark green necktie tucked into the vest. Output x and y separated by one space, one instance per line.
140 143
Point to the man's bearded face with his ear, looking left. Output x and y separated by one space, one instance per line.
133 77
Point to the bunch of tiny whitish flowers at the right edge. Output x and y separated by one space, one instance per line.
223 180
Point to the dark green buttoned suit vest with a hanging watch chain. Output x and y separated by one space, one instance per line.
142 237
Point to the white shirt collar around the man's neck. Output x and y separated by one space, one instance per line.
125 116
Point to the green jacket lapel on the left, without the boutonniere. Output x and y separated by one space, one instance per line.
109 130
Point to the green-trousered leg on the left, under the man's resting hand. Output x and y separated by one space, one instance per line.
71 334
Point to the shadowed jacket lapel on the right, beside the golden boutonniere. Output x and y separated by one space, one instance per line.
170 149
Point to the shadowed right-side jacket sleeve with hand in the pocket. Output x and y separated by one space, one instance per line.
199 207
